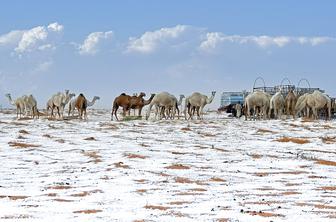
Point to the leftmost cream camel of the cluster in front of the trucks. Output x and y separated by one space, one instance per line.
254 101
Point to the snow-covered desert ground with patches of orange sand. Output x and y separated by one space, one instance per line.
216 169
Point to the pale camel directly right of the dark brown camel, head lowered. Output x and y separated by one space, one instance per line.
163 99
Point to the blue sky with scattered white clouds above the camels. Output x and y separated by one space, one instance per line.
108 47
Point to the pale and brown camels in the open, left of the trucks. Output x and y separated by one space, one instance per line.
166 105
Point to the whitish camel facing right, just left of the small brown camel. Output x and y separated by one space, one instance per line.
59 101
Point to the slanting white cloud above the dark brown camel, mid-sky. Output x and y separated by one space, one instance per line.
150 41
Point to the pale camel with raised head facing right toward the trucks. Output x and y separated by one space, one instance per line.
197 101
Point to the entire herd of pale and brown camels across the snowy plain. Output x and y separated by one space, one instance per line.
256 105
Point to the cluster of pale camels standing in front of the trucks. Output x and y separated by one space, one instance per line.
261 104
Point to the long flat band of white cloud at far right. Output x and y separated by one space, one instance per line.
214 39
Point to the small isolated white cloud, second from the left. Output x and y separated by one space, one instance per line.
91 44
